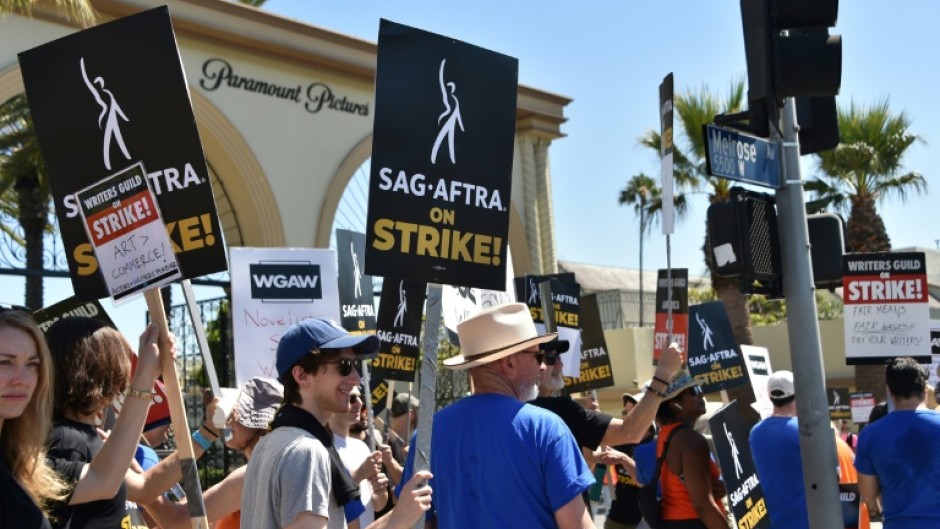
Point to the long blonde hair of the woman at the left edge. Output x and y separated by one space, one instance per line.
23 439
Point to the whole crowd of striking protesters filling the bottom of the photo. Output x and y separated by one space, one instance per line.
510 454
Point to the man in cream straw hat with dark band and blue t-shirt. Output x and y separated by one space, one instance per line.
502 462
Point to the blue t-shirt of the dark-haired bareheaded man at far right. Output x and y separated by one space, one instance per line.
901 450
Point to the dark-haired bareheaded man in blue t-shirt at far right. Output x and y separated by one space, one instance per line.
897 457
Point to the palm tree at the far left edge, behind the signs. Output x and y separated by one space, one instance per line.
25 188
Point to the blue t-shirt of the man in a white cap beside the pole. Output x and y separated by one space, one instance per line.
775 448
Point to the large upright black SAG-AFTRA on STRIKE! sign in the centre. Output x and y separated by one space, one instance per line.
442 146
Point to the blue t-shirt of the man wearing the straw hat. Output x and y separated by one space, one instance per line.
500 463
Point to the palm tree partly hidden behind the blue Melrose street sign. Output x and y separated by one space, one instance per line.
696 109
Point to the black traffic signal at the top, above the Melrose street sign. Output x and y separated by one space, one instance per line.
789 54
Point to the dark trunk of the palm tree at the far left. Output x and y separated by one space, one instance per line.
33 218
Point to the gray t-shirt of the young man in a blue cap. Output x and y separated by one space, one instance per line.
289 473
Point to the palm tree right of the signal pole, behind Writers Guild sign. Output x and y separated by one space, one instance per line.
863 170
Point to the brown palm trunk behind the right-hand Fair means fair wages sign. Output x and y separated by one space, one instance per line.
866 233
